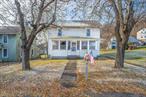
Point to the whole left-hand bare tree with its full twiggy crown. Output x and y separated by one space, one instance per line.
33 16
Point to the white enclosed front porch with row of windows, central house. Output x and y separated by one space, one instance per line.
73 47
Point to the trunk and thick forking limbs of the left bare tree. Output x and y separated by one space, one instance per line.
36 24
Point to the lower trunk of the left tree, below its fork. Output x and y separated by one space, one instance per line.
25 59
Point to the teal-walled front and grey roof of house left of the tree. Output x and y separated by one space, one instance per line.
8 43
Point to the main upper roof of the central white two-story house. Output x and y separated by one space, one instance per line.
77 24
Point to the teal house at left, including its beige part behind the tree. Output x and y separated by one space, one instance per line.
10 45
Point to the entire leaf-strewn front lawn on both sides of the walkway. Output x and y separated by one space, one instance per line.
43 80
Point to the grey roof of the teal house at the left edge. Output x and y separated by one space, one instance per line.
9 29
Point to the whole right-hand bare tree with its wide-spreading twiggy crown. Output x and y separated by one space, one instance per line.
124 14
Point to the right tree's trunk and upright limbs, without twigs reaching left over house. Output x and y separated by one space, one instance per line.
126 16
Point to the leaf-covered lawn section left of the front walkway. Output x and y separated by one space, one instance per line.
14 82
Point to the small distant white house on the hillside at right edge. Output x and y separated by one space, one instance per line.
141 35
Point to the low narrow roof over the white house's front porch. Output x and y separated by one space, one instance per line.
72 37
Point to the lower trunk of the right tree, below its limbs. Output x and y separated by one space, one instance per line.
120 54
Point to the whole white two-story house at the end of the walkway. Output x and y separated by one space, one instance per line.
74 39
